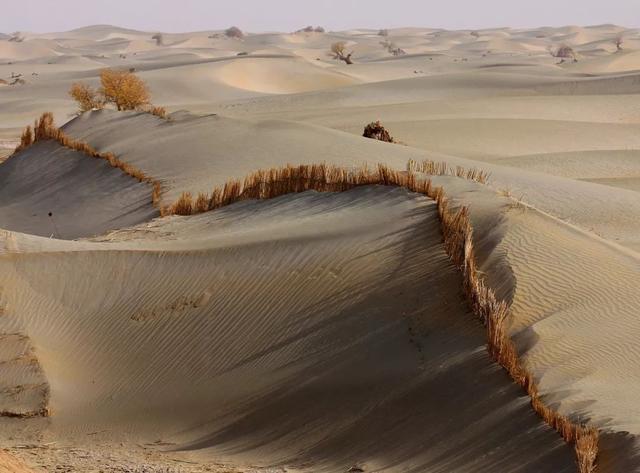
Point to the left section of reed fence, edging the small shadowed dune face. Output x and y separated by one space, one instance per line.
45 129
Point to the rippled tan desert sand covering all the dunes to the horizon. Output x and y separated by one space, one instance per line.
319 332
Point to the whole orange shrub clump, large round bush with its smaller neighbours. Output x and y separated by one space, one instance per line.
120 88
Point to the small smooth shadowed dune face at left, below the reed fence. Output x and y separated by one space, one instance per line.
84 196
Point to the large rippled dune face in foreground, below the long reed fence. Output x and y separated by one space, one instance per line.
319 331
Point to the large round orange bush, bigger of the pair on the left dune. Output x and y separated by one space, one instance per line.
123 89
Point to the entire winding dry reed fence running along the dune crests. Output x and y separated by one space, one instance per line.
457 238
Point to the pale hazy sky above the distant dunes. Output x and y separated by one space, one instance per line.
288 15
